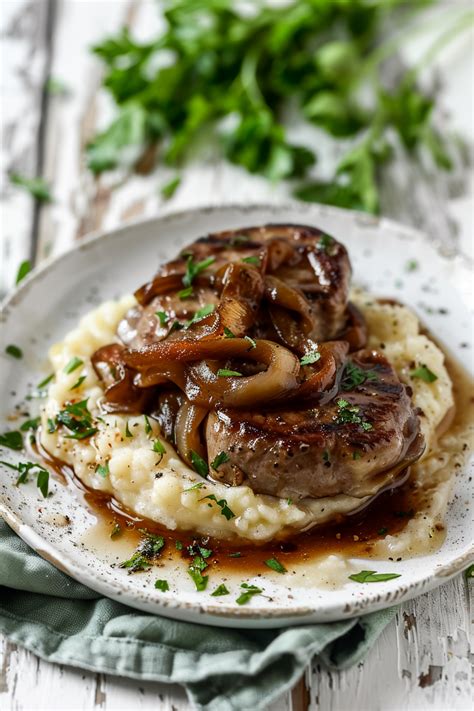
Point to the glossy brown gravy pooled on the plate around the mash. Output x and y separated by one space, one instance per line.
353 535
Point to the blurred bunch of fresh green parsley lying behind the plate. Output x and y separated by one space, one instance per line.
236 75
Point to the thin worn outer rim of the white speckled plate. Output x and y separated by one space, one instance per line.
222 614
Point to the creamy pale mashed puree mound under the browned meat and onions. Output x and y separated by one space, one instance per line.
122 459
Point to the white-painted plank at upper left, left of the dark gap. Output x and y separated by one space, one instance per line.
24 29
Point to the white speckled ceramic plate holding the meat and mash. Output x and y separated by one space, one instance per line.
49 302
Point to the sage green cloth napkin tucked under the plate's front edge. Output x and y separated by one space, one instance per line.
62 621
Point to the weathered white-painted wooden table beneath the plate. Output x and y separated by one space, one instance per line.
422 660
